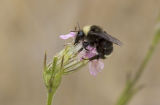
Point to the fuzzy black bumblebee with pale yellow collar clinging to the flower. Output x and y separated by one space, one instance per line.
95 36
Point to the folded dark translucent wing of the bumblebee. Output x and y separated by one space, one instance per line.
108 37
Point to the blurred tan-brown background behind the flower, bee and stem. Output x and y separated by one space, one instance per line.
28 28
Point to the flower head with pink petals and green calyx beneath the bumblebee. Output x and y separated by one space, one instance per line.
69 60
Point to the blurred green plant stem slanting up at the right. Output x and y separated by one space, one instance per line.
129 90
